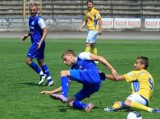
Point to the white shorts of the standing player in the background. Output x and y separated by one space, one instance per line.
91 36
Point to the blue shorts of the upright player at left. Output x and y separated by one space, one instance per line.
33 52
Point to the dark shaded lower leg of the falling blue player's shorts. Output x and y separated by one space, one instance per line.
87 90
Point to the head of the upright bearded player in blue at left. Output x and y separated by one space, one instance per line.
33 8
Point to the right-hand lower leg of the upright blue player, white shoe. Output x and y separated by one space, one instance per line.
46 71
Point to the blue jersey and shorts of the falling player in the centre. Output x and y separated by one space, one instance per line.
86 72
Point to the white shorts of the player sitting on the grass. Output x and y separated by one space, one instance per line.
137 98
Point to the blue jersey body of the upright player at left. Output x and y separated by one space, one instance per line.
35 30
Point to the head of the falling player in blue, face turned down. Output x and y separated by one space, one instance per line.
69 57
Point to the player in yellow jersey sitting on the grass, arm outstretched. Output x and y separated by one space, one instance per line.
142 84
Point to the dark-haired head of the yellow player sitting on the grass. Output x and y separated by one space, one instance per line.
141 63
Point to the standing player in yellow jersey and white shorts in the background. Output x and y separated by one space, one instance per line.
94 23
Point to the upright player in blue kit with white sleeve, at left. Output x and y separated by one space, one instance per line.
37 33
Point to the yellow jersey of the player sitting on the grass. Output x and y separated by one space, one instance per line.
142 83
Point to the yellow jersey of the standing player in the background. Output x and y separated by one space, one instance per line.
92 16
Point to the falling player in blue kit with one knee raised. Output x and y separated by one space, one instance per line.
84 71
